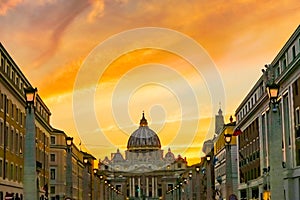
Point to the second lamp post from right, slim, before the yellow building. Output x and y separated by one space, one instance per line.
229 184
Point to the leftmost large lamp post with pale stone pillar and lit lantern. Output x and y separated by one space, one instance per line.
30 176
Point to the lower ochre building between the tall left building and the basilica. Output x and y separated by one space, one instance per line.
79 169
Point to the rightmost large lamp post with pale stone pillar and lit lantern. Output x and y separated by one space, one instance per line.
275 143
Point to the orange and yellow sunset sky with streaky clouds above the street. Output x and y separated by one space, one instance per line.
99 64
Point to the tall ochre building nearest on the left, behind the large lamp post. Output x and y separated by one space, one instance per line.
12 131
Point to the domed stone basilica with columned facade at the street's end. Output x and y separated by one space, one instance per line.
144 172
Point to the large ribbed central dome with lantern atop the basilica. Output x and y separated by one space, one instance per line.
143 139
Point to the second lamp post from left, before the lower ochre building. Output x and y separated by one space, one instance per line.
69 174
